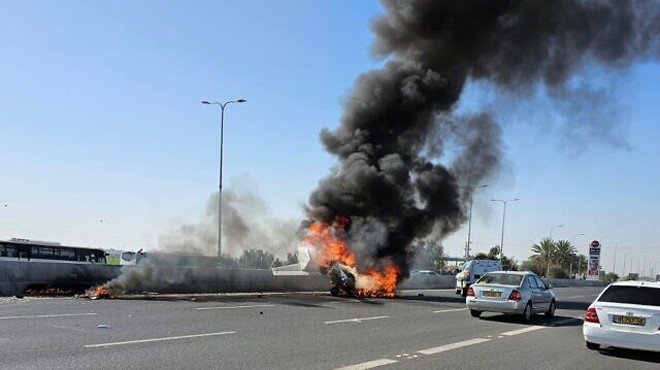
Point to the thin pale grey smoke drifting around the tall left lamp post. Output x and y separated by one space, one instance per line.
186 258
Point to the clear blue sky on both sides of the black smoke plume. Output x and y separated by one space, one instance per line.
100 119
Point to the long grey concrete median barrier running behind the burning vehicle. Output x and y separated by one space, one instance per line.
17 276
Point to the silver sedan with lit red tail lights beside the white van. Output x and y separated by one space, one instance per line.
520 293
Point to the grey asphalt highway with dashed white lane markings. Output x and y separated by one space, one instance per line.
419 329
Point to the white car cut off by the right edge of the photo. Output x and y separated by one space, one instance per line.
625 315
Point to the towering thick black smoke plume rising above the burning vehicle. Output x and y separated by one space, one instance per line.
400 119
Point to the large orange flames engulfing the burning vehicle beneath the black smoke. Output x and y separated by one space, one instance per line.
330 244
